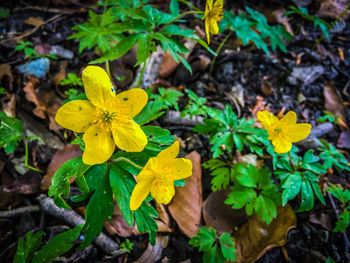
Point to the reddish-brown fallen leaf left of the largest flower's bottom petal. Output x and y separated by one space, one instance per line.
68 152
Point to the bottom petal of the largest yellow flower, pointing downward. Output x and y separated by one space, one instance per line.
99 145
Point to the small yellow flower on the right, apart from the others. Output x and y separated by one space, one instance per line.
283 132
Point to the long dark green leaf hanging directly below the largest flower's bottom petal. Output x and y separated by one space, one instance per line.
100 206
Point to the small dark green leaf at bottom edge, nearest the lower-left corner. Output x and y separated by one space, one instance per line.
27 246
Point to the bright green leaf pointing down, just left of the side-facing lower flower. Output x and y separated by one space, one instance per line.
122 184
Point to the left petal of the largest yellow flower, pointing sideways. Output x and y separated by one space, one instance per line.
77 115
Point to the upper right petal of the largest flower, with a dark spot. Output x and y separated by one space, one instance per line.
131 102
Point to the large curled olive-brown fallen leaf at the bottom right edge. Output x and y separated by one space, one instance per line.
255 238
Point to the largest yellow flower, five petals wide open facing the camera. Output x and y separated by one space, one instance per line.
106 118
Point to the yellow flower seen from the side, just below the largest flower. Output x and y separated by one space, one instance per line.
158 176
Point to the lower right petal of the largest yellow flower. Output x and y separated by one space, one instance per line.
129 136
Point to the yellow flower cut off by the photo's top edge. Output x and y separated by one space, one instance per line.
212 15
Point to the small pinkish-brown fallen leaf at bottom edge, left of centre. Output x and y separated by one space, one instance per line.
154 253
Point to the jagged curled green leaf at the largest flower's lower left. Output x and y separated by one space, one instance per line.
60 182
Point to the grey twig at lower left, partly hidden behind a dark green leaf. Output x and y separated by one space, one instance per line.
74 219
